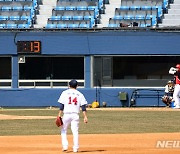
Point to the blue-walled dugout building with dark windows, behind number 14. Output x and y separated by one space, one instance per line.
105 62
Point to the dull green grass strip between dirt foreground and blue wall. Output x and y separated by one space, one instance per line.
100 122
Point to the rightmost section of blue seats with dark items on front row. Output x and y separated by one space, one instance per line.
139 13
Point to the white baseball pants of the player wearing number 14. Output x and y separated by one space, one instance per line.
73 120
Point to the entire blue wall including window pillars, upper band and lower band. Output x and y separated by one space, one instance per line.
87 44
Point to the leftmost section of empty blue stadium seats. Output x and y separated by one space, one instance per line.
17 13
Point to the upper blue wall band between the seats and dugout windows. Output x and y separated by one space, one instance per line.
95 43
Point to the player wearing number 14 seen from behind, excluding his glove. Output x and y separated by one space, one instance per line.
70 102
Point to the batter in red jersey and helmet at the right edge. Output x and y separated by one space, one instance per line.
176 94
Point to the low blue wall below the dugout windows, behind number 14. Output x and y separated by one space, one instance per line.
49 97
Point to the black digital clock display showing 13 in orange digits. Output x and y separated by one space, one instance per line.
31 47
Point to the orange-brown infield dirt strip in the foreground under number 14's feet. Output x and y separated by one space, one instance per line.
90 144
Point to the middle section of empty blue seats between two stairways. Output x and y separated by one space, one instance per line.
75 14
